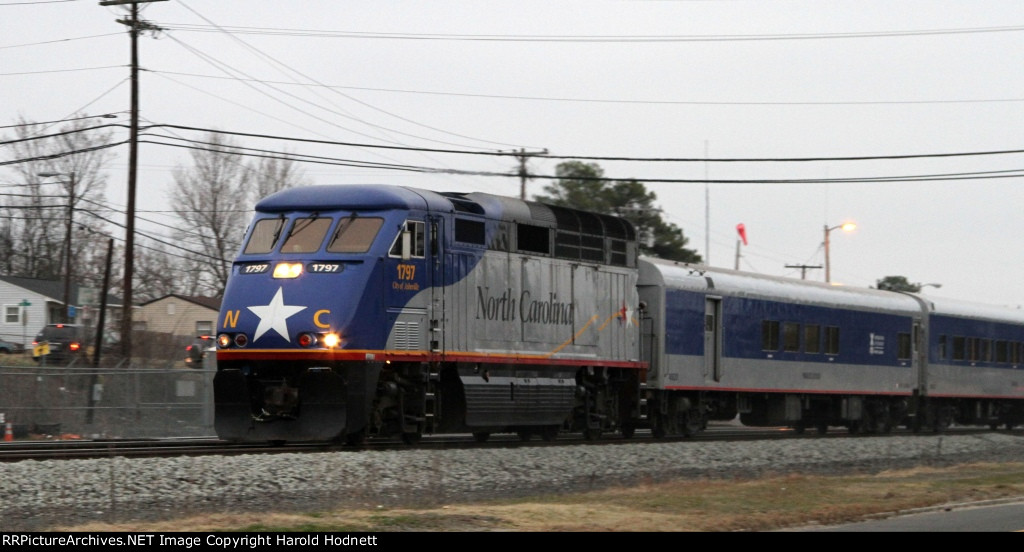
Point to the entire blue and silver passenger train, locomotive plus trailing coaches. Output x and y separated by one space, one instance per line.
358 312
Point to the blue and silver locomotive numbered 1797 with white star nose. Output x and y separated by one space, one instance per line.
377 311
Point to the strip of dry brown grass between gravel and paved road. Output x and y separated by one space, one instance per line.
686 505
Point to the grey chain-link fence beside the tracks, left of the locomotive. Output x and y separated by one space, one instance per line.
138 402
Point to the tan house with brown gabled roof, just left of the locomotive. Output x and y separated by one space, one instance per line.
183 316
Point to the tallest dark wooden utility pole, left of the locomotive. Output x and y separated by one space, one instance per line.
136 27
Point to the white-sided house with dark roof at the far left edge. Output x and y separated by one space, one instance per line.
29 305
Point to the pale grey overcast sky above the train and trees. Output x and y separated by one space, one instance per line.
740 90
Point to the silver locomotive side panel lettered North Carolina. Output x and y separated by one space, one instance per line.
546 310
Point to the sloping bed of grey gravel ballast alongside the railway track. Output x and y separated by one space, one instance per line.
41 495
